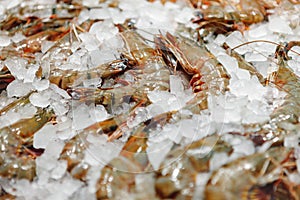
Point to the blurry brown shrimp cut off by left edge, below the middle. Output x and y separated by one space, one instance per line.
17 156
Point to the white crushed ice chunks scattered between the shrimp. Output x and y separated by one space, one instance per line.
246 102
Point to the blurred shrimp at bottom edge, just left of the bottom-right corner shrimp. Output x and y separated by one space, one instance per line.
176 177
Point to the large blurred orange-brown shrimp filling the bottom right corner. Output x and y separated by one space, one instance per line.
258 176
